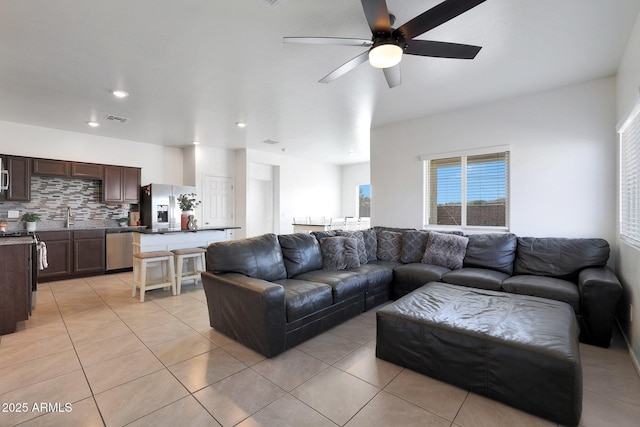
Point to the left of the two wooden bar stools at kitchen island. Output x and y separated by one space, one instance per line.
143 280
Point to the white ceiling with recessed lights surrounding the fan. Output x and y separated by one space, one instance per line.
195 67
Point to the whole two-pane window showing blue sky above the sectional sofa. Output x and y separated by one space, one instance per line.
467 190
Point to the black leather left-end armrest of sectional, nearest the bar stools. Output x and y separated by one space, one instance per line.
251 311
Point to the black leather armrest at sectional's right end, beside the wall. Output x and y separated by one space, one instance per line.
600 291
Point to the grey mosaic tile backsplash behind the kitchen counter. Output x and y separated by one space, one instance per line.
50 197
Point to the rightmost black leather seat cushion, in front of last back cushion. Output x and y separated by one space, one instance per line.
545 287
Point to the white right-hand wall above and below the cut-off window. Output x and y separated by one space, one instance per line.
628 257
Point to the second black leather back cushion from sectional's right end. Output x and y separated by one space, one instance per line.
493 251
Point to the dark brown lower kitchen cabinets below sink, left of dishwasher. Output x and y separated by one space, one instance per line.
73 254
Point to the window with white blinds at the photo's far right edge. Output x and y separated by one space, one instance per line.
629 135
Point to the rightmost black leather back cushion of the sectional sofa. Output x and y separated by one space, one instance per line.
559 257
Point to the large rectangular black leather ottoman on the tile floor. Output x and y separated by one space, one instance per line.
520 350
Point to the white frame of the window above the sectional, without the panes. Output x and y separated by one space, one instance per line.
464 155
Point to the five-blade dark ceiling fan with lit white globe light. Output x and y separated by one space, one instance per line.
388 44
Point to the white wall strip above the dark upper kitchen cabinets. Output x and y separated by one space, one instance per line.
159 164
